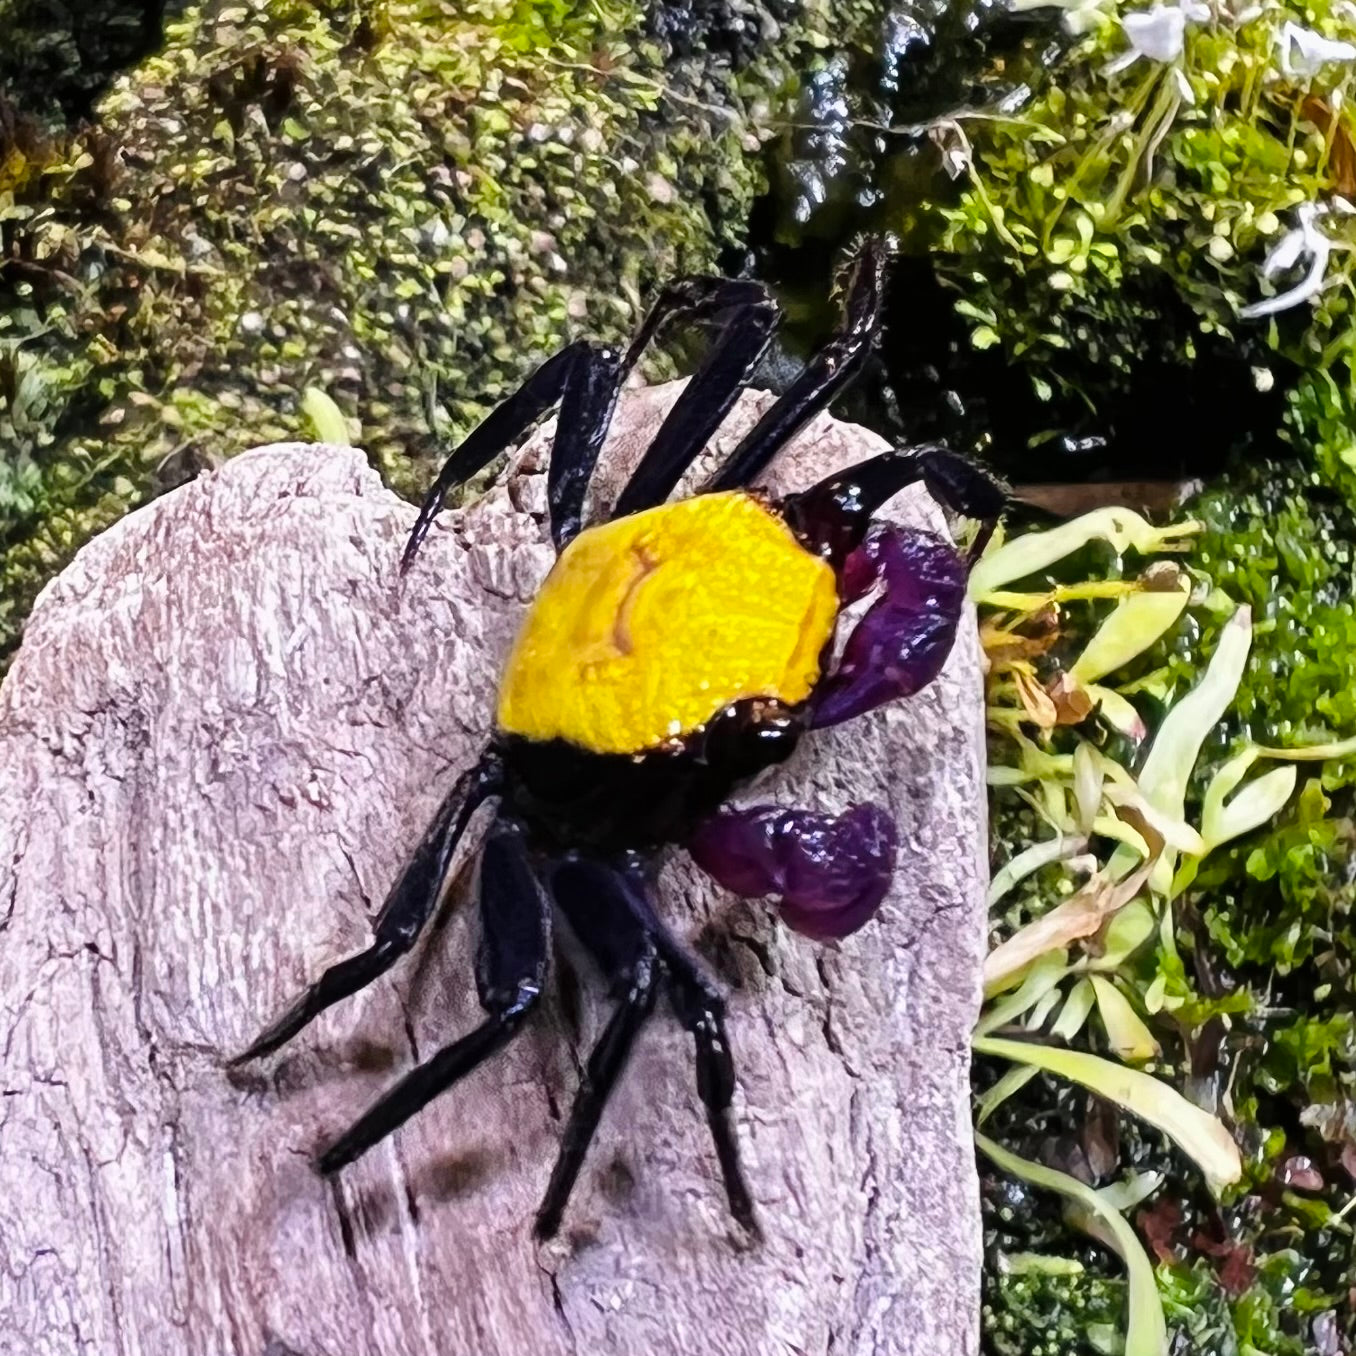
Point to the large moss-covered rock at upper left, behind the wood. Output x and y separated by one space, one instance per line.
403 203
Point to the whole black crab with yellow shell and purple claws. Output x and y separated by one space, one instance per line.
673 653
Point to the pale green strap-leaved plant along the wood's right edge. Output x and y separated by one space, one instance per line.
1119 835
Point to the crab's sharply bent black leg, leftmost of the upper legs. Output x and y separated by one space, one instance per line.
580 375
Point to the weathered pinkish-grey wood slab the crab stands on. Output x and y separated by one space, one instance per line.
227 725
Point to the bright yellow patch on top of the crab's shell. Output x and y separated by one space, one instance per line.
652 624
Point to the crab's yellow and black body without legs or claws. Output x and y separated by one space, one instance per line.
654 672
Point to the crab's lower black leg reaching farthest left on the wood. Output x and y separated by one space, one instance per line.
403 915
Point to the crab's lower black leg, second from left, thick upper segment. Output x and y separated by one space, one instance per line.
511 972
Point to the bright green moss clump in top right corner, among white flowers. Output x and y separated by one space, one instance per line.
1107 205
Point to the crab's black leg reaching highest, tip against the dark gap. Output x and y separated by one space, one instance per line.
821 380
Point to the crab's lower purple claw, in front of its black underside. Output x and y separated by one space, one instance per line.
832 873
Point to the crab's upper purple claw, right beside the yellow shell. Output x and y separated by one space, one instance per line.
902 642
